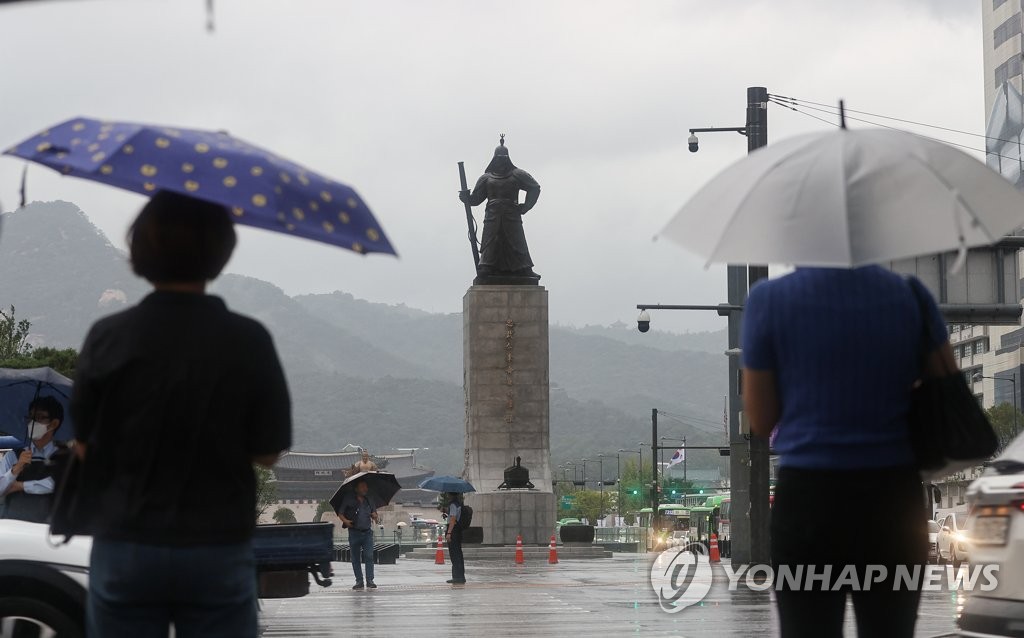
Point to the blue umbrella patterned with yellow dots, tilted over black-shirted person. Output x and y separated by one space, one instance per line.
262 189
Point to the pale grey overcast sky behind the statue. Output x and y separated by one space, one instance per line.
595 99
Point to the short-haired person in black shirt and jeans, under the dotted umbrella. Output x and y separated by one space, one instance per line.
175 401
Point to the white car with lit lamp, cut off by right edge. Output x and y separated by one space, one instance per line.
997 534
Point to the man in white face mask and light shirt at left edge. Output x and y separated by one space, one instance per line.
29 476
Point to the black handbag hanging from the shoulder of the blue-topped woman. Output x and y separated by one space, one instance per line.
949 430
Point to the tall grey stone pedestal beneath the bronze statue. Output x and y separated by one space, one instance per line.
505 349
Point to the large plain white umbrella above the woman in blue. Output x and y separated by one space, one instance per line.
845 199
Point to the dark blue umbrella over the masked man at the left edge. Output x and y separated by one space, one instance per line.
19 388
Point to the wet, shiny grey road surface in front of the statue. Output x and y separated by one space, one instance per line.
611 598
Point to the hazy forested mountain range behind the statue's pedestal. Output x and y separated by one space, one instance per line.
380 375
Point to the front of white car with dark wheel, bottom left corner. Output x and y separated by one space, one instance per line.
42 585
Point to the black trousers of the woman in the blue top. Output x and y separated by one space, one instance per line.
864 518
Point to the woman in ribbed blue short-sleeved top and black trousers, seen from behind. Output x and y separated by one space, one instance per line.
830 361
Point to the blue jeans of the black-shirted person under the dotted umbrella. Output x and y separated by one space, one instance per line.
139 591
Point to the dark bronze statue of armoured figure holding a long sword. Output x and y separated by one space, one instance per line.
504 257
